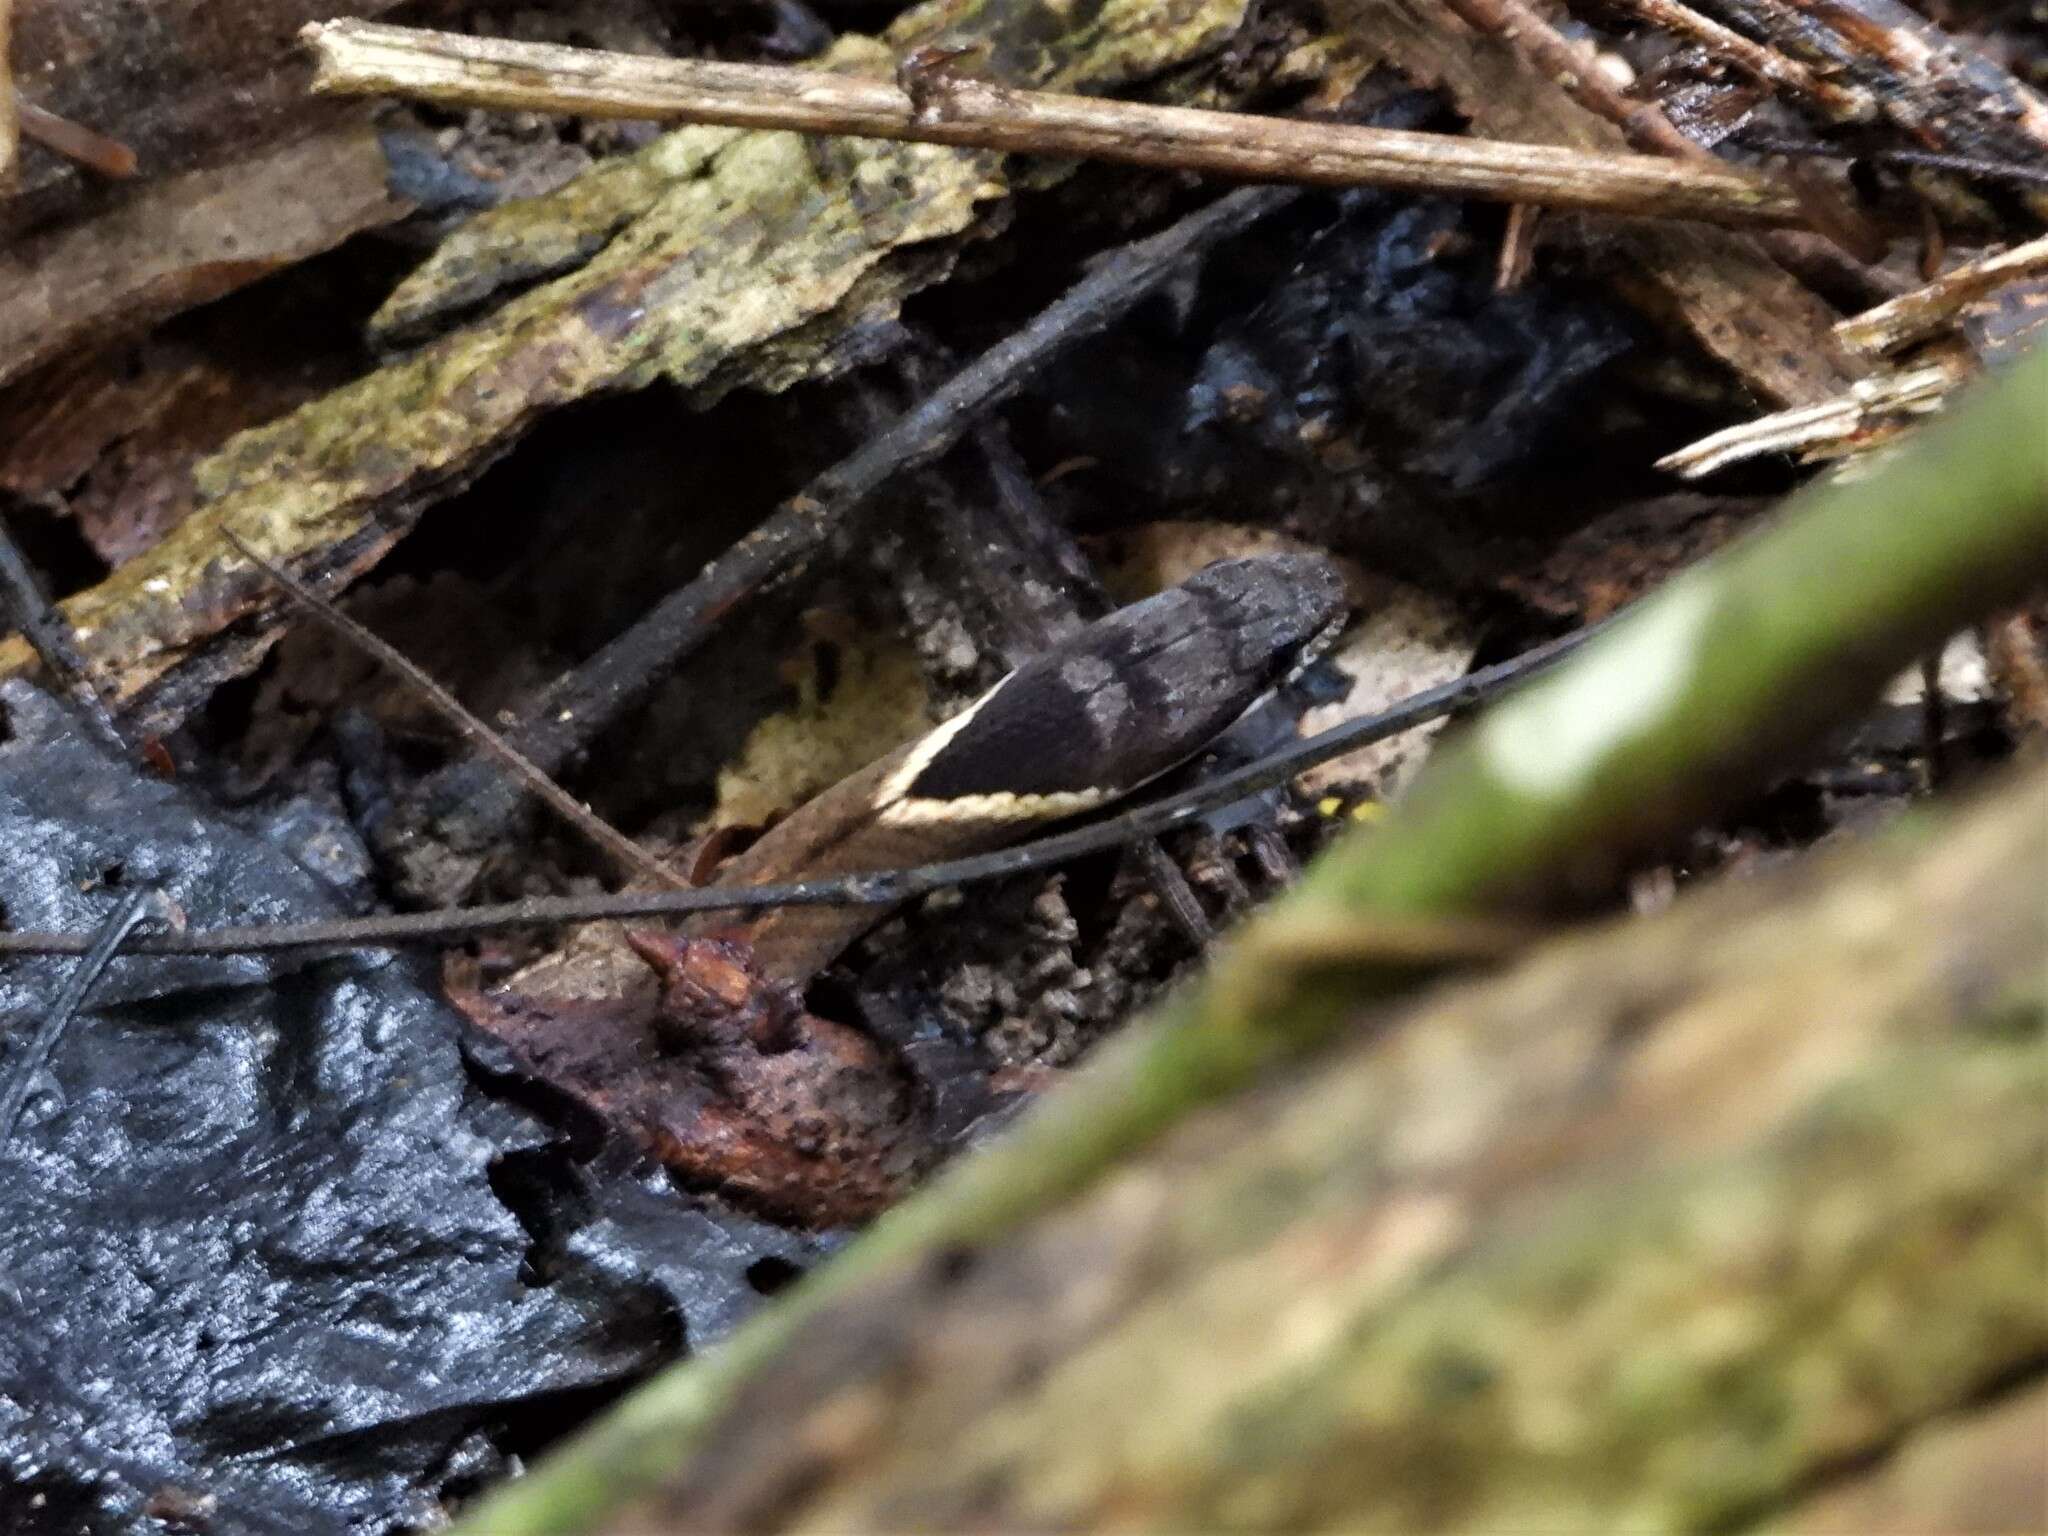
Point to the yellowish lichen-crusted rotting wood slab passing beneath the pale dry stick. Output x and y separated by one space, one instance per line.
740 267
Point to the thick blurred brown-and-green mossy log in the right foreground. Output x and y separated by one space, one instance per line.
1656 1232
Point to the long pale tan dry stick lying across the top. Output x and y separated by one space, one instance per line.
366 58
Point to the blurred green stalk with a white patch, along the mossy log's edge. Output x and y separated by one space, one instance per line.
1682 708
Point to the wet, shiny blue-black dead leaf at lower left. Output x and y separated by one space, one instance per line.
269 1252
